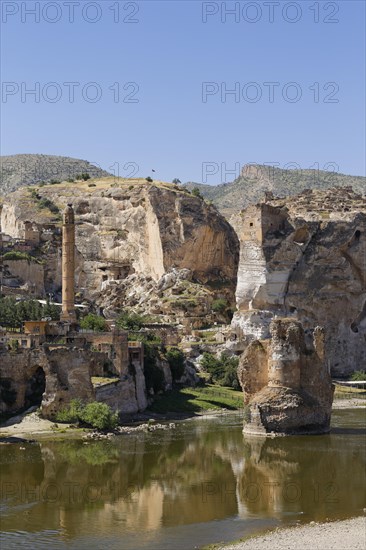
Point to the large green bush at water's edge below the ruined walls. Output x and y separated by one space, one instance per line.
97 415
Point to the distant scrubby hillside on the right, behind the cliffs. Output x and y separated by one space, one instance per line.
255 180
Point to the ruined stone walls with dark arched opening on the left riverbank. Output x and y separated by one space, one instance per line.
54 375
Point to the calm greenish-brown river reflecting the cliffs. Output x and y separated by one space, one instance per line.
199 483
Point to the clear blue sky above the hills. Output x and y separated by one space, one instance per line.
151 82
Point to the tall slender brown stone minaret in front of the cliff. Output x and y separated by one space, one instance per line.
68 266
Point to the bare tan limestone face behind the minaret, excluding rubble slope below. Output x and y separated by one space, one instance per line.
126 228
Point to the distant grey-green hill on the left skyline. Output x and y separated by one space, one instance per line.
19 170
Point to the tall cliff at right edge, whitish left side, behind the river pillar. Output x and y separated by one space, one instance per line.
306 258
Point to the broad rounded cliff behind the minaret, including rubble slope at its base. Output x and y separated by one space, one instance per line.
152 246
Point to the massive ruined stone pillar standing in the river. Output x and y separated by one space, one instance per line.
286 383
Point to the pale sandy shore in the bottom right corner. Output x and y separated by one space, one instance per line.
349 534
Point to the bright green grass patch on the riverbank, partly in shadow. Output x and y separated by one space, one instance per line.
196 400
